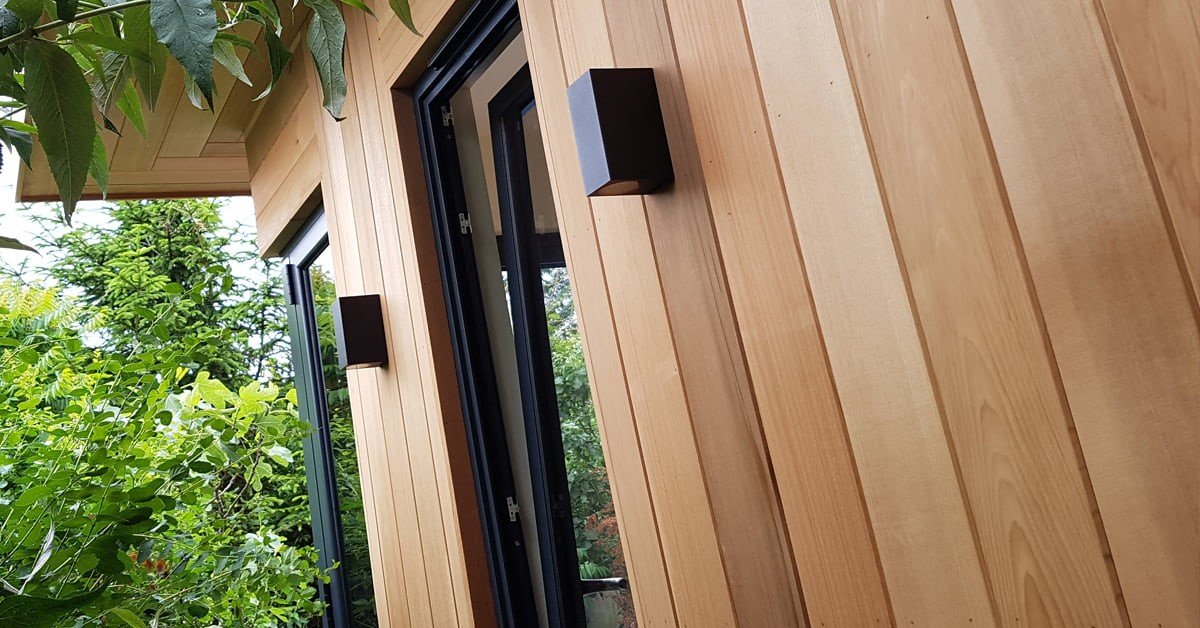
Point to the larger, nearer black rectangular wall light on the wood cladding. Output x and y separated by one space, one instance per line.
620 133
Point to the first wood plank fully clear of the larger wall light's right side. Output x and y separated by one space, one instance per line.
831 535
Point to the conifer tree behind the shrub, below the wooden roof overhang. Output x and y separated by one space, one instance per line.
155 250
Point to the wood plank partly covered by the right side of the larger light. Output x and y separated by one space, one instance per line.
758 559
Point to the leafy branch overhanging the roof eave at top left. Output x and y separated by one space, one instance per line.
71 63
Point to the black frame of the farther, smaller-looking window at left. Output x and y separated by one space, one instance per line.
311 397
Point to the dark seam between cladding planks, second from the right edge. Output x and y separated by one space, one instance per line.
1031 288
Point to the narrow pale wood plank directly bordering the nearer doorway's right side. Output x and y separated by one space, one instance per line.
623 451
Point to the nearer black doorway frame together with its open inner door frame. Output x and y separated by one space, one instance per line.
485 27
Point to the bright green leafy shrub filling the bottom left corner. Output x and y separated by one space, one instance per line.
130 489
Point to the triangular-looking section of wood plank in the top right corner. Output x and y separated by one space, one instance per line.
1159 49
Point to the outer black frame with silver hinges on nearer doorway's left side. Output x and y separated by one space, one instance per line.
483 29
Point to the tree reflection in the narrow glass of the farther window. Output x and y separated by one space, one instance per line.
357 565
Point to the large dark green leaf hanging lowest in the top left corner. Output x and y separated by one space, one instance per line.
61 104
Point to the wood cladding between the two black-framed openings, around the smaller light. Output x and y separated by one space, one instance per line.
423 523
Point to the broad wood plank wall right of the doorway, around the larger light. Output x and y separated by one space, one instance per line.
923 297
